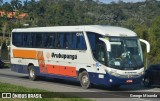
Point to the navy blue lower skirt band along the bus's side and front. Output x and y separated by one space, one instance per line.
94 77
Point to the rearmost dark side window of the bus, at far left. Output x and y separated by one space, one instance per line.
16 39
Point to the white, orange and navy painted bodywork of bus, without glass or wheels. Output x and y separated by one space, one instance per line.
66 63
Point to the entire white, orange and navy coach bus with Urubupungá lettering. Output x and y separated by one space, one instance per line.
90 54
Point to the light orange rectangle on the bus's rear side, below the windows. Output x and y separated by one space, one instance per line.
28 54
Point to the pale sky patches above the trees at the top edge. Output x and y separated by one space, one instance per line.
105 1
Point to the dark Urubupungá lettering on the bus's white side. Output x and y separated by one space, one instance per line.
64 56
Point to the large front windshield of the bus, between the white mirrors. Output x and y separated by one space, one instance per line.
125 54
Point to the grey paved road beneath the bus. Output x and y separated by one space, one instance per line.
8 76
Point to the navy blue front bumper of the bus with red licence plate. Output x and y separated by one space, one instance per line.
109 80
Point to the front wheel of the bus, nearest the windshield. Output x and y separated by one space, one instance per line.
84 79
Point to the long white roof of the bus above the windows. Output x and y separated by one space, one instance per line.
101 29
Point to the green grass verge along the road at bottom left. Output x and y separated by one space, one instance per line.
5 87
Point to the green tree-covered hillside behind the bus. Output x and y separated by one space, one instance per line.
141 17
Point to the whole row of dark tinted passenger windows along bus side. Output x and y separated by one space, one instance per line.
62 40
